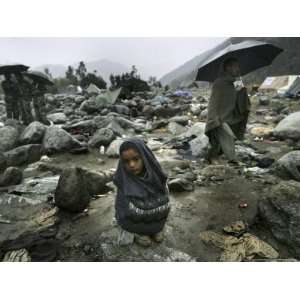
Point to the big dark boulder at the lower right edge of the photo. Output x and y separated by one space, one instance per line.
279 210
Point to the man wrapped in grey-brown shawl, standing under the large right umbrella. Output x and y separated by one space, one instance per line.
228 110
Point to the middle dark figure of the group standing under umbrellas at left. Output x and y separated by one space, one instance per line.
26 98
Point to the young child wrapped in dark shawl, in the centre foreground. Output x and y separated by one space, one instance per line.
142 202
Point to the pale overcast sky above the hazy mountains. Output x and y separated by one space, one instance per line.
152 56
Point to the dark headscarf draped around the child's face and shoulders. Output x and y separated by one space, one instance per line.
154 180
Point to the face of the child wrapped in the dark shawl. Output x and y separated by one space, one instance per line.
133 161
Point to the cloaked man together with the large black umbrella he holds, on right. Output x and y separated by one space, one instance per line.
229 104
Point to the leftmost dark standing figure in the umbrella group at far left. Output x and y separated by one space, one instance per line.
12 97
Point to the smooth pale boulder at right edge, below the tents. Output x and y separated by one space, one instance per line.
289 127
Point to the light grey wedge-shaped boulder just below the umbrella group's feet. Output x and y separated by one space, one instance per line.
58 140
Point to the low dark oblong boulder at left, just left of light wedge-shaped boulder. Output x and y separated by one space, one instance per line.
26 154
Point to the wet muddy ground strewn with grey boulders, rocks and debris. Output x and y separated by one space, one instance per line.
57 198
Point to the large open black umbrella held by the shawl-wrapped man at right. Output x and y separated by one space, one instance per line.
251 55
